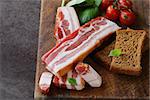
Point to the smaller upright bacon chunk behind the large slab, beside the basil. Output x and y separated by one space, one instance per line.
66 22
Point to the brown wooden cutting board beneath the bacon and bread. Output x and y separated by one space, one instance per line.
114 86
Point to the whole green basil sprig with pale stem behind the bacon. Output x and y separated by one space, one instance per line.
86 9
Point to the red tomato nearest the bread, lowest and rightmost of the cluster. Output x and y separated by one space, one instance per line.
127 17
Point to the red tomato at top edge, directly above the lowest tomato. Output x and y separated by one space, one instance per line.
125 4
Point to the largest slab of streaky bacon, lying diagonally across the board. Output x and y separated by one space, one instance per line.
79 44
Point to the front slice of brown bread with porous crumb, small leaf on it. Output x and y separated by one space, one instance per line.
130 42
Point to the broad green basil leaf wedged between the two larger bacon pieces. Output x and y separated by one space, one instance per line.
87 14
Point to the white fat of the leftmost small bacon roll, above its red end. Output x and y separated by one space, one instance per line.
46 78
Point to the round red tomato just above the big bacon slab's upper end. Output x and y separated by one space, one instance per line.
112 13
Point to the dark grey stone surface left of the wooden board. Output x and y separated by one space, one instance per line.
19 26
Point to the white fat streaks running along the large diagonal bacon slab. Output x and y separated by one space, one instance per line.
105 30
